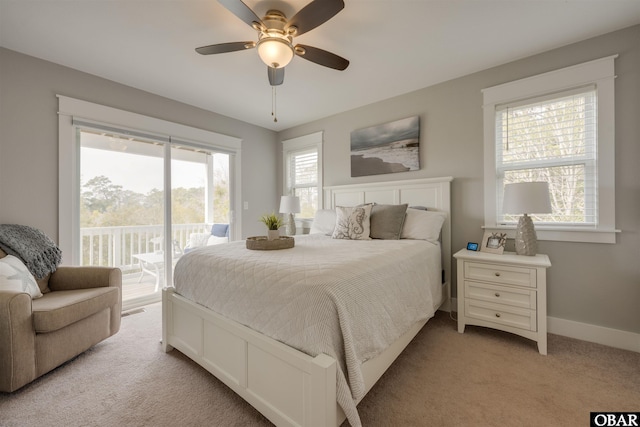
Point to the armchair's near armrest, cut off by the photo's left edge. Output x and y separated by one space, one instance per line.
17 341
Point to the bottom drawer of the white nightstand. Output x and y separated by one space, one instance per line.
501 314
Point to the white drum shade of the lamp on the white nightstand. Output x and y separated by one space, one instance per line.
526 197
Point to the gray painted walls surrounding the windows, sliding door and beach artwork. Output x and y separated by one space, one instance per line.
592 283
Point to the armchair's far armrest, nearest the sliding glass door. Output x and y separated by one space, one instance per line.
67 278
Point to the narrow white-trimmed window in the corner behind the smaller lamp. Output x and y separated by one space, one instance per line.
302 159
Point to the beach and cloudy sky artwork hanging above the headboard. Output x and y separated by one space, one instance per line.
388 148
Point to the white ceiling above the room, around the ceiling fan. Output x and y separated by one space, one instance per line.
395 47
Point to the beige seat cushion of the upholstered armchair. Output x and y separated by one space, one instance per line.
58 309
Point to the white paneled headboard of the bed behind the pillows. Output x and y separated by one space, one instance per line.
433 193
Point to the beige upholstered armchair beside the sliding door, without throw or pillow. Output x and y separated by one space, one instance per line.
79 307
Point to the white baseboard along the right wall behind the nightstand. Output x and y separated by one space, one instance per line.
586 332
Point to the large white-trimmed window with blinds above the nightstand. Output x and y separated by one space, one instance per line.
557 127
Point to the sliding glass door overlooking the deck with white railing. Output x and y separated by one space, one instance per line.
126 219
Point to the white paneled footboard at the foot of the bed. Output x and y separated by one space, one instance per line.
288 387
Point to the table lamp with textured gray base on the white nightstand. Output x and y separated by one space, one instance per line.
526 198
